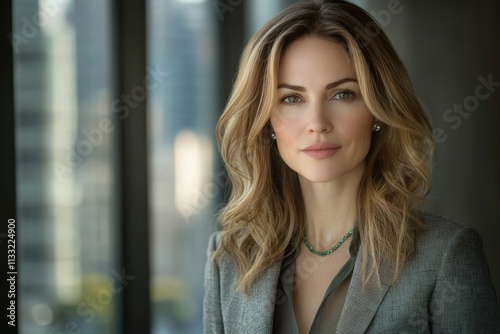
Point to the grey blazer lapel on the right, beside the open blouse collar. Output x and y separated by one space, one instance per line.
362 303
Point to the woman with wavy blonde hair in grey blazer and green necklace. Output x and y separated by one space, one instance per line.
328 152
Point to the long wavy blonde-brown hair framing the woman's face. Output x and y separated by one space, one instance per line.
265 209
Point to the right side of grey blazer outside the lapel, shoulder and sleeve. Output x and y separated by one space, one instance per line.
444 287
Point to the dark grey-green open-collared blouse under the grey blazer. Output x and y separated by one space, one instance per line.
329 311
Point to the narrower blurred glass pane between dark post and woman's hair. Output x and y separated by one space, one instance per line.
183 185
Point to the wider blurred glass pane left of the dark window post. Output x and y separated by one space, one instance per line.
68 276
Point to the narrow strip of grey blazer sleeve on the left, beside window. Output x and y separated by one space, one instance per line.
212 315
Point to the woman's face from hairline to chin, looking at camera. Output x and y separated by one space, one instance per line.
323 127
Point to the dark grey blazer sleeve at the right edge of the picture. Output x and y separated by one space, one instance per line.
464 298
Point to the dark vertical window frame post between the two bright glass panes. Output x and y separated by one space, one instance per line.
132 177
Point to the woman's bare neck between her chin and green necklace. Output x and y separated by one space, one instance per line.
330 208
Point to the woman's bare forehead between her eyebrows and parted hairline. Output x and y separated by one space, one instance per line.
315 58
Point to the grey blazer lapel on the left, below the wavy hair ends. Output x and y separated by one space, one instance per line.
259 306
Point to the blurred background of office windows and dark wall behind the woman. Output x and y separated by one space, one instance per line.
118 176
